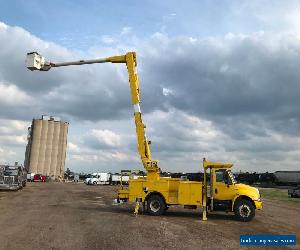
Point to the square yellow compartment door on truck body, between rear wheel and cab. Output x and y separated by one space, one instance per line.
190 193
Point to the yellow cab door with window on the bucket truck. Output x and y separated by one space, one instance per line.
223 189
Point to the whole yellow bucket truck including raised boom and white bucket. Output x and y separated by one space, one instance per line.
154 192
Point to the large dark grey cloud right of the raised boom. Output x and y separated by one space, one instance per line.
223 78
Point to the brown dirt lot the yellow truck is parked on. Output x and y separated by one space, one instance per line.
76 216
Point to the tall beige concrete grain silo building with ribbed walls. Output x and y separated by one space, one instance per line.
46 148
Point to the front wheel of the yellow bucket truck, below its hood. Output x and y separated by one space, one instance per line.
244 210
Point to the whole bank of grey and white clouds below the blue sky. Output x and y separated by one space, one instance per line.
232 98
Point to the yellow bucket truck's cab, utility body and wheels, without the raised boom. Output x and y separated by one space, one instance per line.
221 193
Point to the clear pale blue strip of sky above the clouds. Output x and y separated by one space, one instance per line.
80 24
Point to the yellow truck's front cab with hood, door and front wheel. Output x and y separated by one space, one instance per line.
227 195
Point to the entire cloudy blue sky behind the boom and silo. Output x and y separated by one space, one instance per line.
218 79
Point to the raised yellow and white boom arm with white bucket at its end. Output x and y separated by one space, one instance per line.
36 62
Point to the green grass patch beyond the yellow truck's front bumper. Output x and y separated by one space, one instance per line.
277 194
